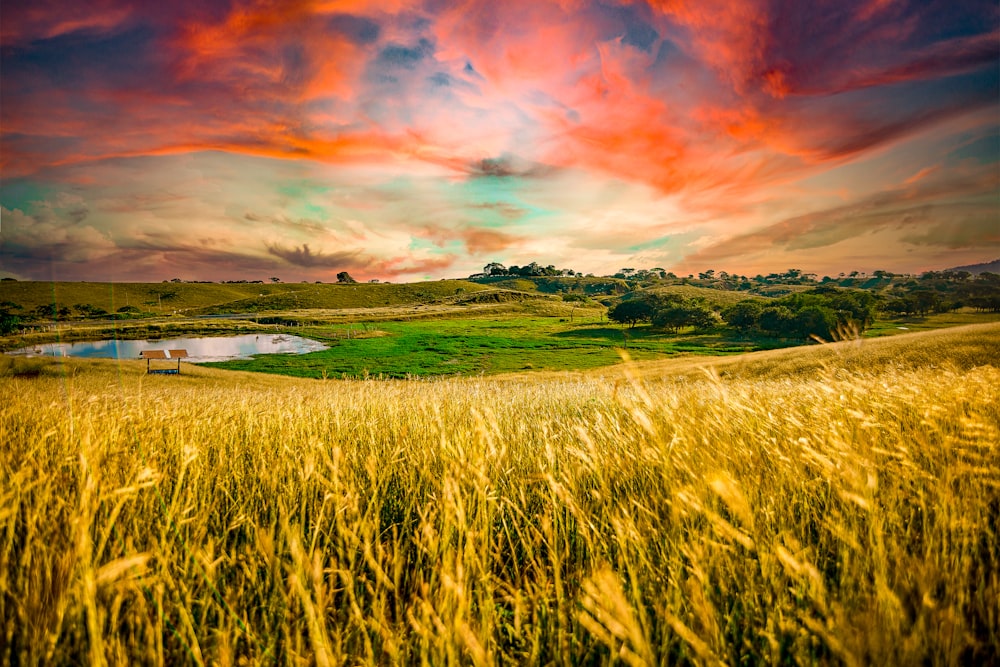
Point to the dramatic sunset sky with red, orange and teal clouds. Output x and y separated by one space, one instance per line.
408 140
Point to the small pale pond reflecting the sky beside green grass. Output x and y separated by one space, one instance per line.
218 348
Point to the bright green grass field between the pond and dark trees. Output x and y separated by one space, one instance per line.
470 346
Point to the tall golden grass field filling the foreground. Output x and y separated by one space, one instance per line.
833 505
